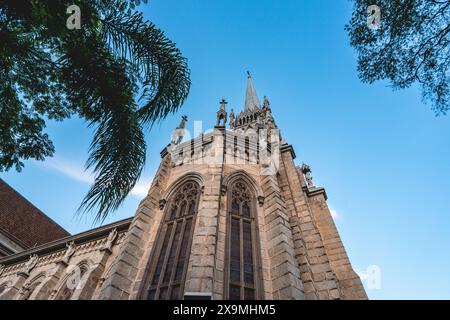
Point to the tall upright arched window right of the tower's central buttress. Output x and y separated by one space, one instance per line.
242 272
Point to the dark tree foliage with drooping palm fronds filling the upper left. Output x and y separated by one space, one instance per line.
118 72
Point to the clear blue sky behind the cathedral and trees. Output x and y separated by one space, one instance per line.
382 156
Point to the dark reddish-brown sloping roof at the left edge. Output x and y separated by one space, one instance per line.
21 219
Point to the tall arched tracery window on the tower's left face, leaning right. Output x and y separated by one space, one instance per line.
168 270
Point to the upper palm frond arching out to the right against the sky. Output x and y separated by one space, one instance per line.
160 65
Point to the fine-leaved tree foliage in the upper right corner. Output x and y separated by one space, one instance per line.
412 46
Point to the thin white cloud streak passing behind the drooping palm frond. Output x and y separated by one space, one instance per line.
77 172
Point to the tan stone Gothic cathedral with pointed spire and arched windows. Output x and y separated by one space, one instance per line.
229 216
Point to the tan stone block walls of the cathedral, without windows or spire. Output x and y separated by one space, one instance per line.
299 252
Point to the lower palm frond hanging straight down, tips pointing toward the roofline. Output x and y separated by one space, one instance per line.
117 155
